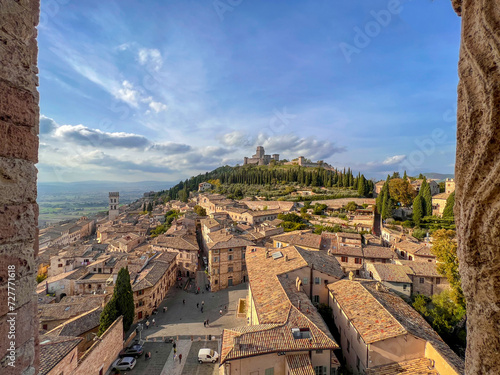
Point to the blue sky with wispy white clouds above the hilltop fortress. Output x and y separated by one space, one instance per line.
162 90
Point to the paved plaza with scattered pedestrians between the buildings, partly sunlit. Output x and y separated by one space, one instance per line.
184 323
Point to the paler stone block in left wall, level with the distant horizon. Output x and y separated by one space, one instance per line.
17 181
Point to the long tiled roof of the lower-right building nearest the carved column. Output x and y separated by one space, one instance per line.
380 314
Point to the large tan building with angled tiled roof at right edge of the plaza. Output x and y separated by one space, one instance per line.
285 334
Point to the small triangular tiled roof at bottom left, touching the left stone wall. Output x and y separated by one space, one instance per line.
53 349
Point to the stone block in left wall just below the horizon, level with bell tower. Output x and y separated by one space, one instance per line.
18 223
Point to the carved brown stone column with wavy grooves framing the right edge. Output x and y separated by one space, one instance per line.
477 174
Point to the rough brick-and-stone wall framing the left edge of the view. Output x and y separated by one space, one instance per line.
19 115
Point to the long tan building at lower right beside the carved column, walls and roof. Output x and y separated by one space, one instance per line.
381 334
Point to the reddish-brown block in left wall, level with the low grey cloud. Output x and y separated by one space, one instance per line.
19 142
